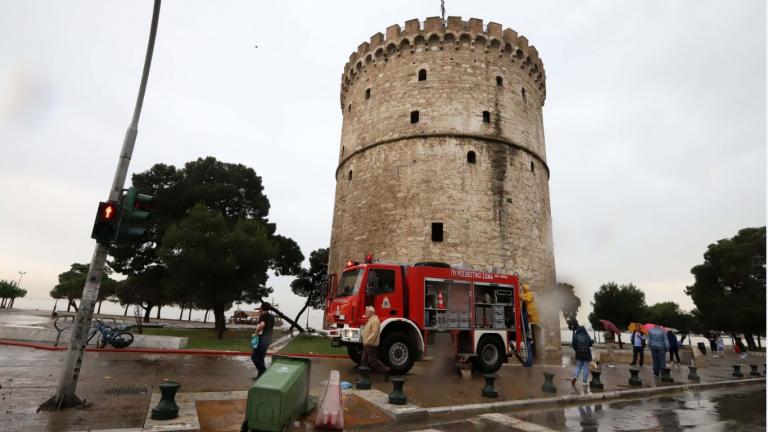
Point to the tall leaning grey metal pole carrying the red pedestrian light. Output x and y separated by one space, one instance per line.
65 393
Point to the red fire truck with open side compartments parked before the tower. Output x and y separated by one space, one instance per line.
421 303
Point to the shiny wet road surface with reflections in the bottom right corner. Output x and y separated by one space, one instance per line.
736 409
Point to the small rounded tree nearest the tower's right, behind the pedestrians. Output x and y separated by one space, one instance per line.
619 304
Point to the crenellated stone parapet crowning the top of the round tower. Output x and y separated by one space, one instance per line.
452 34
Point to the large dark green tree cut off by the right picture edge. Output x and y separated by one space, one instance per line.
729 287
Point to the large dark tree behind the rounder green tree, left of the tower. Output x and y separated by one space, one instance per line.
233 190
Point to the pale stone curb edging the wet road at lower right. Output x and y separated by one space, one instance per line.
411 412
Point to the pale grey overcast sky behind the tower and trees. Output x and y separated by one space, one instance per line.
654 120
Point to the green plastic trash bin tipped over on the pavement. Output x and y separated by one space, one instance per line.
279 396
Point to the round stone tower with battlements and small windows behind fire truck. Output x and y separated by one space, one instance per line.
442 156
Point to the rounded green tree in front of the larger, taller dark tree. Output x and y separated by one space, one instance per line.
217 263
